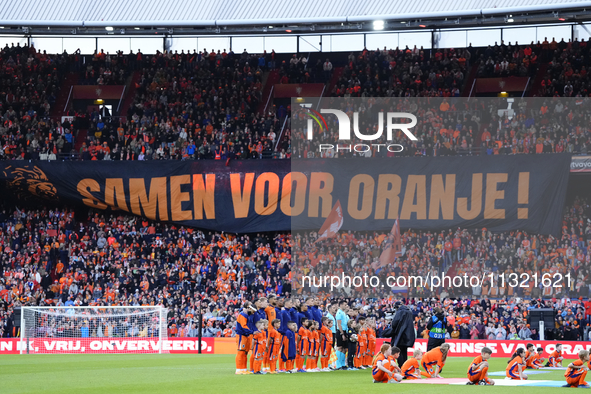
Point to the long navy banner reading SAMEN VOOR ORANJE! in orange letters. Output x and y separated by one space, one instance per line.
499 193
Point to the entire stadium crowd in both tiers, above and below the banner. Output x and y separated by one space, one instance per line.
204 106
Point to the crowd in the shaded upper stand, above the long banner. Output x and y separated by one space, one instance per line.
205 105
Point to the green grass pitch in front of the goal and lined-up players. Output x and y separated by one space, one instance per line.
114 374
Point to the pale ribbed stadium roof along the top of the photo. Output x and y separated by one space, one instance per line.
179 13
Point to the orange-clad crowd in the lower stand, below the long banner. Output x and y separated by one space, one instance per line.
54 257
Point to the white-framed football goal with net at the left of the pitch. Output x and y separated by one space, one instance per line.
93 329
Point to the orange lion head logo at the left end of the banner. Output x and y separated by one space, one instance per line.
32 179
